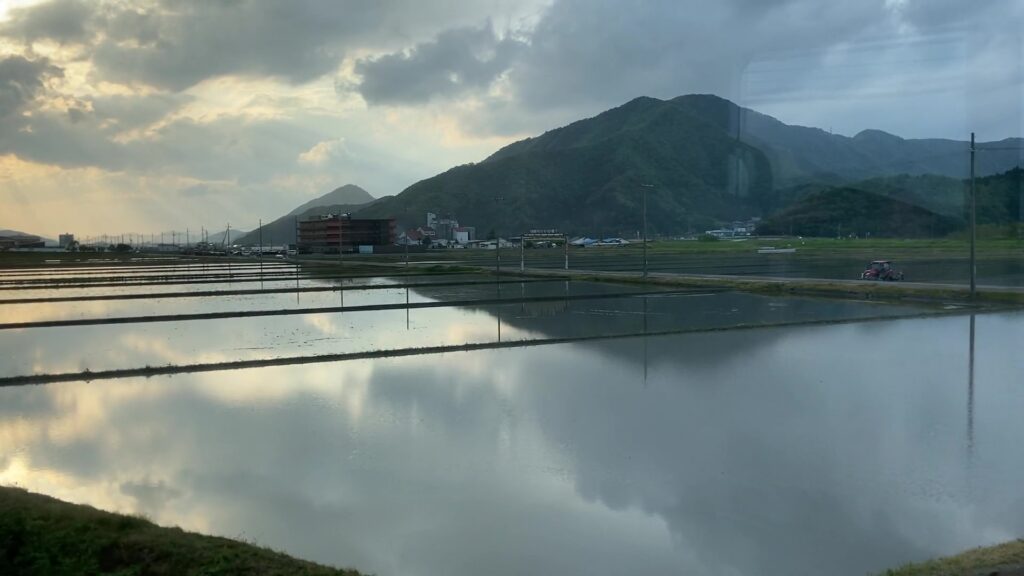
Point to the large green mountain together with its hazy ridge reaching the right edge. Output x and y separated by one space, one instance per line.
709 161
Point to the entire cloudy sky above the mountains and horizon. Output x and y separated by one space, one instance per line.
148 116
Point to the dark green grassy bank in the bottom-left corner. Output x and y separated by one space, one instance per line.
42 536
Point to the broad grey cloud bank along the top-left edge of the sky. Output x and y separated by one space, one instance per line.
175 46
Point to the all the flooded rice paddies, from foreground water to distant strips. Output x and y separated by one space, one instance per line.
751 436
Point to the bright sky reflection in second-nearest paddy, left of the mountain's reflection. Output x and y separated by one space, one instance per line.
133 346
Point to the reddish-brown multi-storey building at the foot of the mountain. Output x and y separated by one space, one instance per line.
327 233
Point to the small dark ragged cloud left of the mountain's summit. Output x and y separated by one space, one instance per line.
455 62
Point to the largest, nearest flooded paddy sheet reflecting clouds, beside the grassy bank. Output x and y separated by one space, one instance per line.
774 451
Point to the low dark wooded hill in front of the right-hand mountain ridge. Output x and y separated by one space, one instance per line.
841 212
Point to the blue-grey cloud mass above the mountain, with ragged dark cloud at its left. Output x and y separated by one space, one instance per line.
863 63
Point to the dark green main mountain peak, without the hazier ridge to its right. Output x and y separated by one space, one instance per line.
586 178
